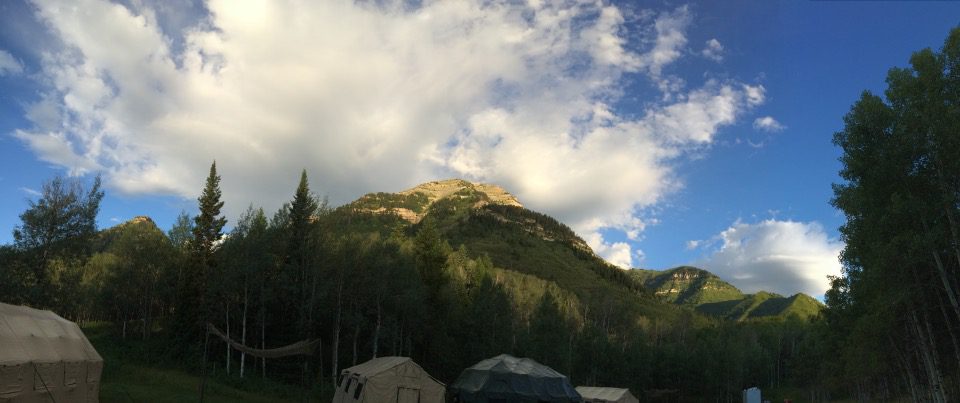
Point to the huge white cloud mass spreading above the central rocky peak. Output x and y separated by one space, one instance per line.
378 97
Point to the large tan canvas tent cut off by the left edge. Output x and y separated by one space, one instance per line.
45 358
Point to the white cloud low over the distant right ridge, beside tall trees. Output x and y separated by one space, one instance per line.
785 257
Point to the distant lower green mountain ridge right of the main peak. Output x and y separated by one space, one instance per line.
708 294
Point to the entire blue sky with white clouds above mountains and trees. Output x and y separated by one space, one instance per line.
664 133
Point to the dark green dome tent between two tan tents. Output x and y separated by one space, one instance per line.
505 378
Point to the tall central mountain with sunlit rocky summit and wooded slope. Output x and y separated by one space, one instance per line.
487 221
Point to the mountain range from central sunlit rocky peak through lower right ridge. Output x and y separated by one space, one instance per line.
487 220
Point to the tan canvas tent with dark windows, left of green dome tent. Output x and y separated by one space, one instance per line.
388 380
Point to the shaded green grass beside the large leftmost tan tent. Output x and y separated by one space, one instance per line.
128 379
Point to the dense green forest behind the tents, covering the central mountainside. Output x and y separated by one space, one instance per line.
463 278
